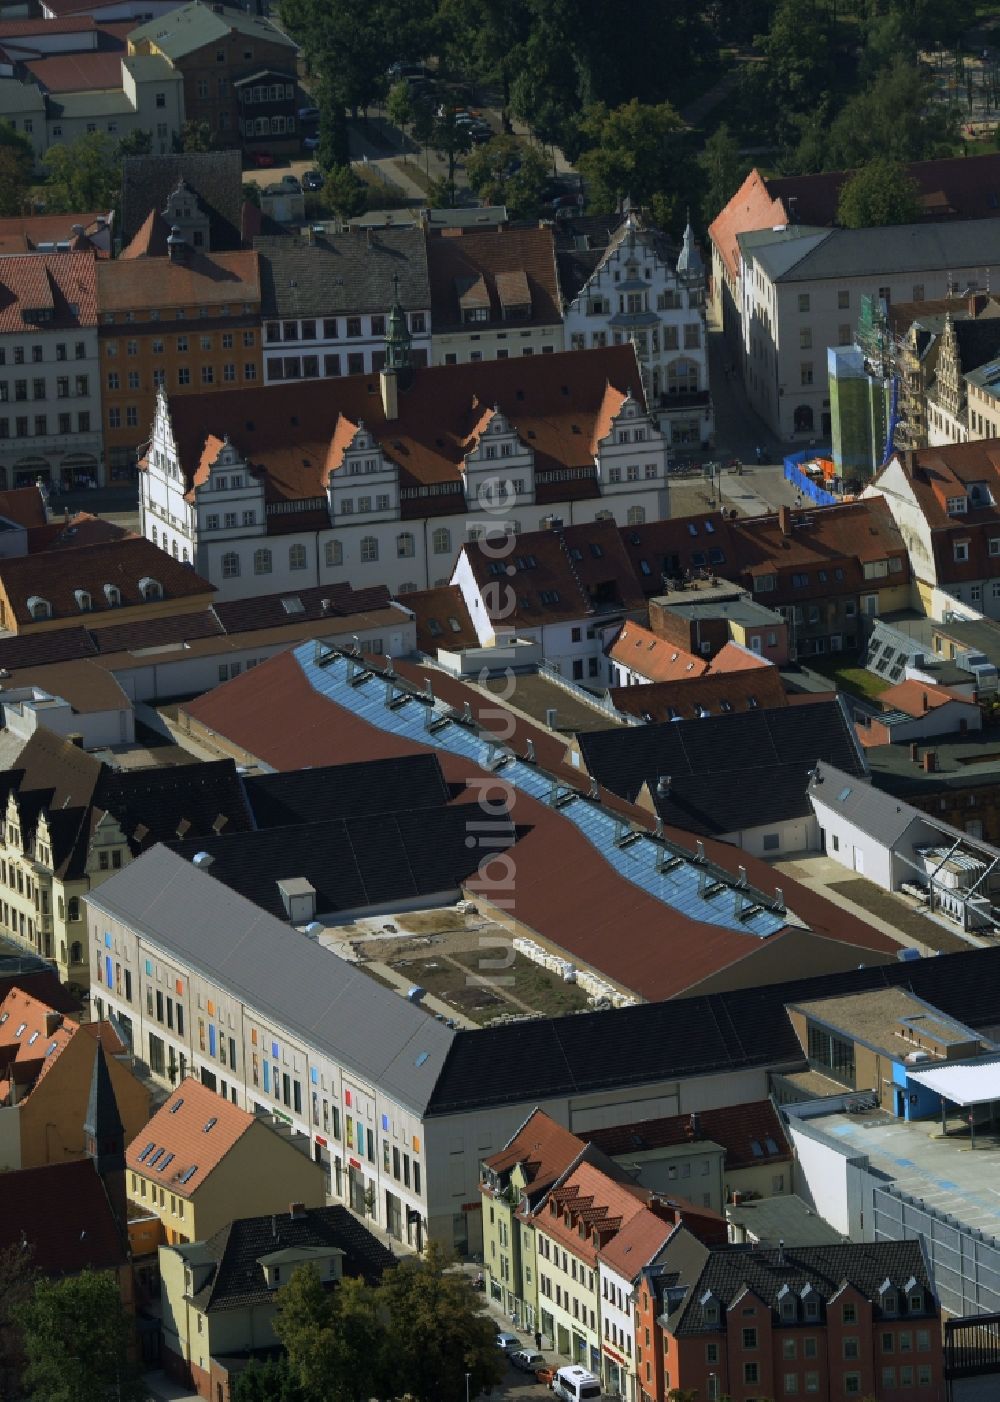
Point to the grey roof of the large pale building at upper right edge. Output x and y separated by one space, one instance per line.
901 250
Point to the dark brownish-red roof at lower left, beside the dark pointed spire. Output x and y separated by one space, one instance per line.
64 1213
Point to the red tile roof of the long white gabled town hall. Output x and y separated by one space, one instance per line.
562 403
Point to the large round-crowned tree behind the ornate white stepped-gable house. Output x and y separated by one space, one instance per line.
628 152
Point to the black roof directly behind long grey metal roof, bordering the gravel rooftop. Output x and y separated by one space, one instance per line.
353 864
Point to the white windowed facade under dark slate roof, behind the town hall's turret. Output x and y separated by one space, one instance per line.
311 348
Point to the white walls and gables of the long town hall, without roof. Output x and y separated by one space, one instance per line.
372 538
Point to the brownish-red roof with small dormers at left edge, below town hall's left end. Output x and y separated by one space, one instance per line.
55 576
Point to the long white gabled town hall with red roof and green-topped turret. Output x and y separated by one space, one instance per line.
379 479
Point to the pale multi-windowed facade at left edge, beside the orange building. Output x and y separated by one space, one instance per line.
51 407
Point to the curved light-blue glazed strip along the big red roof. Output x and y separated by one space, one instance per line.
684 888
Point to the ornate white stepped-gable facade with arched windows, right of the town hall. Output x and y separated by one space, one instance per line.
635 295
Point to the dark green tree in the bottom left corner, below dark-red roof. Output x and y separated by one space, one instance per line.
78 1340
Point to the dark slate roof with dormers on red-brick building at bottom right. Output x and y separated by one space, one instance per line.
727 1271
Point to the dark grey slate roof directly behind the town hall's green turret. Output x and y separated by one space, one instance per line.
344 274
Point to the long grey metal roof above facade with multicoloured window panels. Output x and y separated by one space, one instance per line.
280 972
